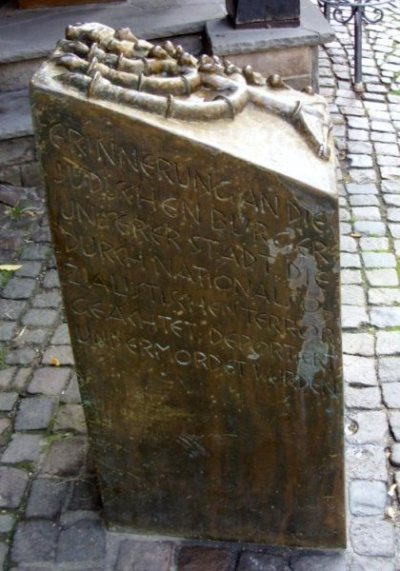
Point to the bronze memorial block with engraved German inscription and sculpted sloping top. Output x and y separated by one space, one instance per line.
194 213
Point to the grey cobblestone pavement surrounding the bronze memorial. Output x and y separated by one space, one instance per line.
50 516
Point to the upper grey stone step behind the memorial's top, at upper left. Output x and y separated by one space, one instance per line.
27 37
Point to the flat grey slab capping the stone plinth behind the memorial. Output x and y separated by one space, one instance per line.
313 30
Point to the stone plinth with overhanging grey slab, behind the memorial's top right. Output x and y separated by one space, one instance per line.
290 52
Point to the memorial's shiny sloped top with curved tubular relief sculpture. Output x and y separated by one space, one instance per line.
115 68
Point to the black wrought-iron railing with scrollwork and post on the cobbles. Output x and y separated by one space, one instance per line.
343 11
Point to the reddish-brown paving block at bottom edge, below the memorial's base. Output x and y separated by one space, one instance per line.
199 558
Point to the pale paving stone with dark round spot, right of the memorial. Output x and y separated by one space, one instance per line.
366 427
